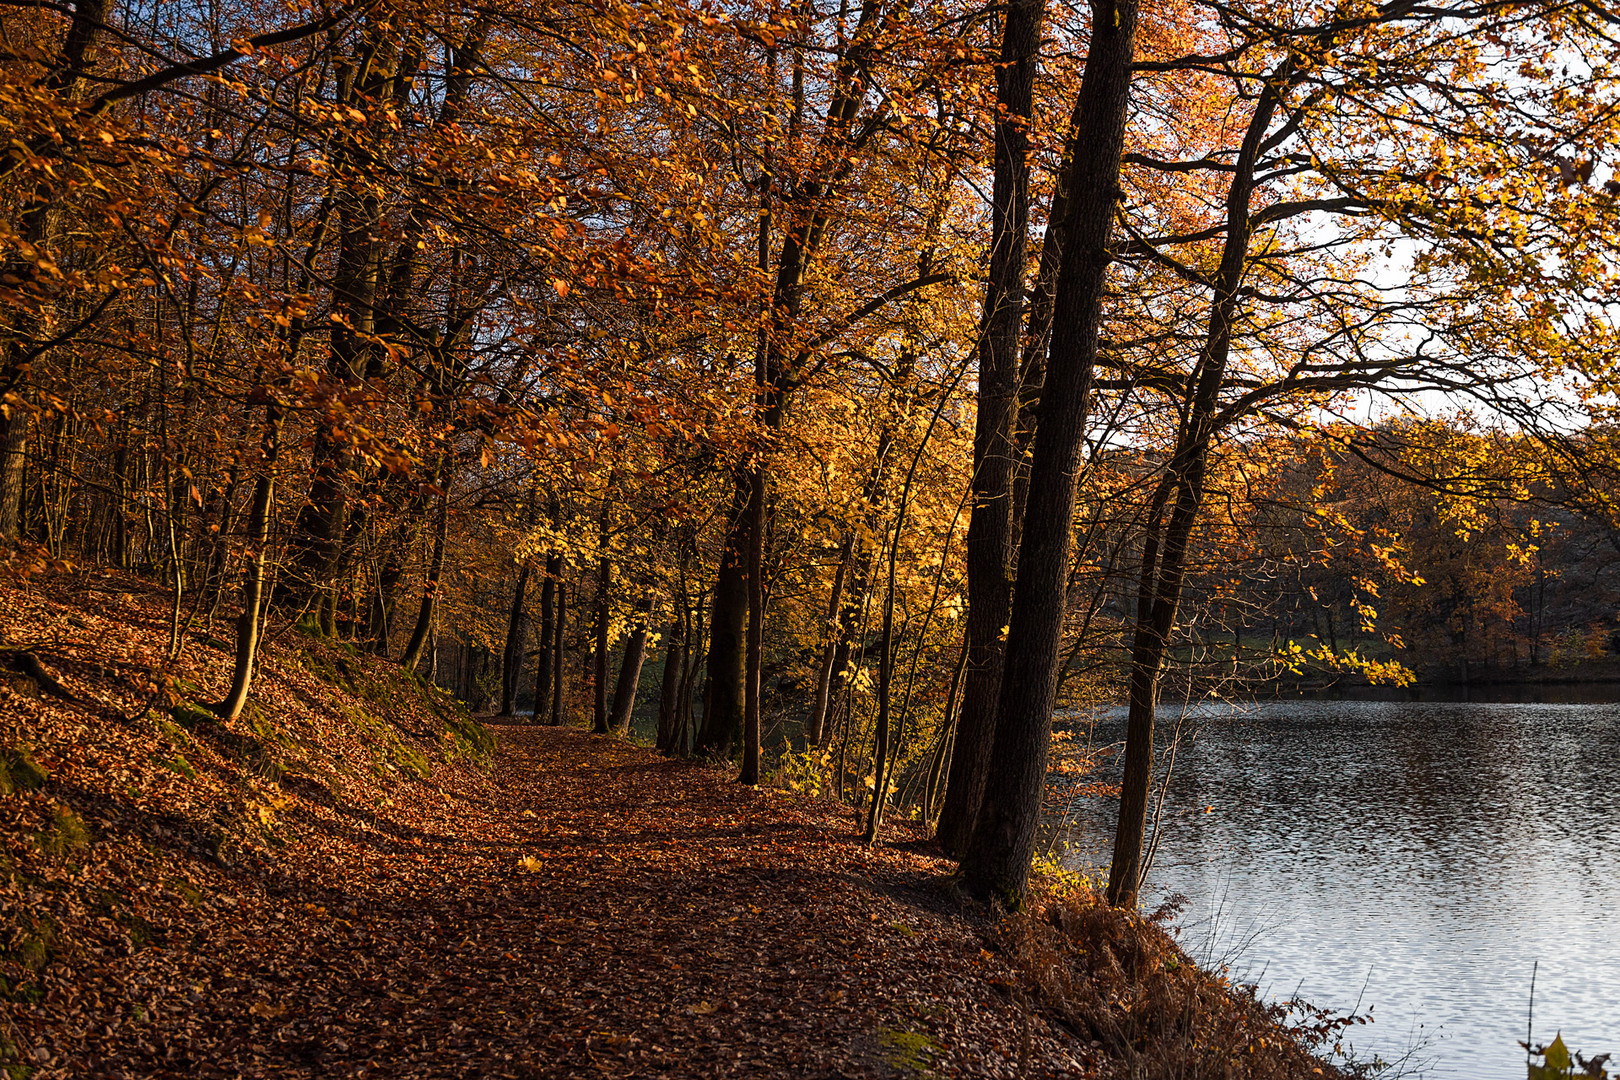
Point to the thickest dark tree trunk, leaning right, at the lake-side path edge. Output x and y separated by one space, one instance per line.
995 862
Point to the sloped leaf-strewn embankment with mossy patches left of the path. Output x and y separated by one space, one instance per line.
139 833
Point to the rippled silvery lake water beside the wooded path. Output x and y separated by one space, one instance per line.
1417 856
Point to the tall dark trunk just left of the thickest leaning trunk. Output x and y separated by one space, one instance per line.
991 522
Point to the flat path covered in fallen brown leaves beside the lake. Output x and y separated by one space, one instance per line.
594 911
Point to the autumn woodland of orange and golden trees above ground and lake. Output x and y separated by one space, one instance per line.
542 346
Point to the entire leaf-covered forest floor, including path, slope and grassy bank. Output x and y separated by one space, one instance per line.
359 880
